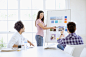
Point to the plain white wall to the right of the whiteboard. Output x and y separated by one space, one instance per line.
78 15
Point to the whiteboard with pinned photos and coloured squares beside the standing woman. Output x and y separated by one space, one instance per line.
58 18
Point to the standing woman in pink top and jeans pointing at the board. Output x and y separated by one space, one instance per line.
39 23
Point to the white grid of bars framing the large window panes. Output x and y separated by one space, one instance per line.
7 32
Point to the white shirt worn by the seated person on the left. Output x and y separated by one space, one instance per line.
16 39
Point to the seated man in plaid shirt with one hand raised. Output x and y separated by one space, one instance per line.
71 39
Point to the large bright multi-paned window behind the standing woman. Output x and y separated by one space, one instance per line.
25 10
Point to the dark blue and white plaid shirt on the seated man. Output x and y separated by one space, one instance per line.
71 39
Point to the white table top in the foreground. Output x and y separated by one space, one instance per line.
35 52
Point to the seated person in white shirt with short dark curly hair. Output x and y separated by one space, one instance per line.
17 39
